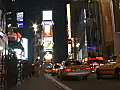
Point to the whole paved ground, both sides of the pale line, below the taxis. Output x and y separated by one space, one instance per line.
48 82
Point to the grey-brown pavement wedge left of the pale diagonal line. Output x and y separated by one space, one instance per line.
37 83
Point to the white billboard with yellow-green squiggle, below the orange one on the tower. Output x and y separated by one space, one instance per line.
48 44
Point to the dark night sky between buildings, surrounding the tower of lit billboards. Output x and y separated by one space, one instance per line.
33 12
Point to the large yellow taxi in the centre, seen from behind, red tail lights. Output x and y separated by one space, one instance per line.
73 68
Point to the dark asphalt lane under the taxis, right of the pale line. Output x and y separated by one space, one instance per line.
107 83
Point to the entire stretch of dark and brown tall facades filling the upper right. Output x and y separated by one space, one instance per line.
95 28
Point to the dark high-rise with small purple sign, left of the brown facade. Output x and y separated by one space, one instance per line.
86 28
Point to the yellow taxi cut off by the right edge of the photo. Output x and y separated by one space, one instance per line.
110 68
